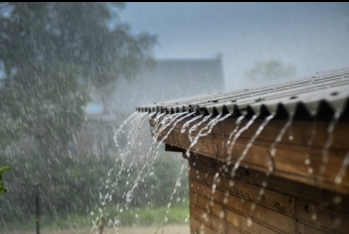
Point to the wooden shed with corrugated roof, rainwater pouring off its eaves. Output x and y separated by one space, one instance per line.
267 160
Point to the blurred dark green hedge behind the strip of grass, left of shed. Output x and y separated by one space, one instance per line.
77 186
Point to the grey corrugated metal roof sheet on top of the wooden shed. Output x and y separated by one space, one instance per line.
307 98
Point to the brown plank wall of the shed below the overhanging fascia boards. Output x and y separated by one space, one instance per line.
253 202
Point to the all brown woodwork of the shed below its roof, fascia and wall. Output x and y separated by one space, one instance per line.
297 197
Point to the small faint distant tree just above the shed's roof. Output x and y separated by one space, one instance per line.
271 70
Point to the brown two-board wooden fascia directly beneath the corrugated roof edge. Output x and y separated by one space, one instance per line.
290 155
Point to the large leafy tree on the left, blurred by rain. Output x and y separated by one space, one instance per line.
51 54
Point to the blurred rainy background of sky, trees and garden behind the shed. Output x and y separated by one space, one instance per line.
72 73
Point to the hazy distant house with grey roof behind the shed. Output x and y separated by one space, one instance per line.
167 79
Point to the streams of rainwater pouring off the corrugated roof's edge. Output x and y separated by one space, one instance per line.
162 126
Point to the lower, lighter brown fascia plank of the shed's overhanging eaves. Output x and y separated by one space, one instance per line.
289 162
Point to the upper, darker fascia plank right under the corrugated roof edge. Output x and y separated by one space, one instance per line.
301 130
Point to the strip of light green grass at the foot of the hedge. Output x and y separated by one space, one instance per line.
143 216
